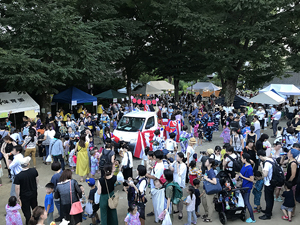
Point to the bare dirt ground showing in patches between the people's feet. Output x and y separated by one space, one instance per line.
45 174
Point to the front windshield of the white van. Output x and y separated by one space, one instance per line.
131 124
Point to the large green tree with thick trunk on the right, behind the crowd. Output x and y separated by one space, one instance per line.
247 41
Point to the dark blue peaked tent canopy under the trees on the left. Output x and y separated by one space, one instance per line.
73 94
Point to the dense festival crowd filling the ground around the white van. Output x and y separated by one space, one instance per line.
67 141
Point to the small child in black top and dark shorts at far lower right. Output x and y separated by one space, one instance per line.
289 201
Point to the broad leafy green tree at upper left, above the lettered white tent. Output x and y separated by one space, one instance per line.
46 45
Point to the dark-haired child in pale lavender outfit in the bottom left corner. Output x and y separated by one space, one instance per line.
13 216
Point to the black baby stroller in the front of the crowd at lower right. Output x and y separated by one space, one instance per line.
235 211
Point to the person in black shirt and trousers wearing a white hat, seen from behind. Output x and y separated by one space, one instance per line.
26 187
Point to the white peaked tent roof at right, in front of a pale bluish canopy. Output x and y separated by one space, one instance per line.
268 97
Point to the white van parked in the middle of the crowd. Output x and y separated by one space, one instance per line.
133 122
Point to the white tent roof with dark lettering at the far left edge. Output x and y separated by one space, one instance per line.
15 103
